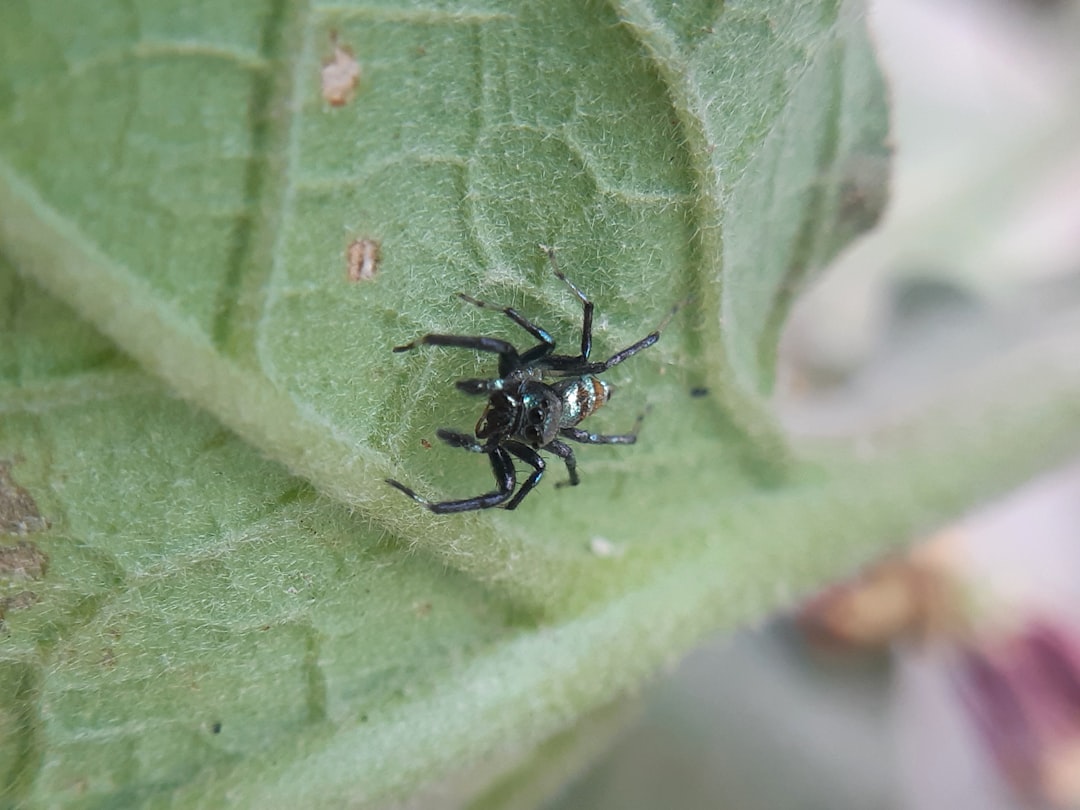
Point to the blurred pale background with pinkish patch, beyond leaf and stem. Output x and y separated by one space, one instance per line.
949 677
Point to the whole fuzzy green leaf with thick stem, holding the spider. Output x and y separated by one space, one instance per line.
173 174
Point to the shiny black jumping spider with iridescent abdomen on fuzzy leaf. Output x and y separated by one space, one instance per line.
537 398
